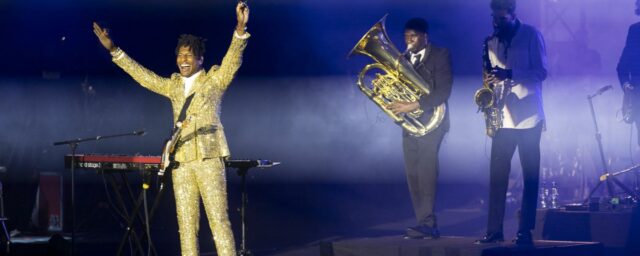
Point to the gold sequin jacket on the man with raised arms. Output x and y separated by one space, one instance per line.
204 110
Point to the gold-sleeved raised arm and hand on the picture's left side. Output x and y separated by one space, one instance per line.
142 75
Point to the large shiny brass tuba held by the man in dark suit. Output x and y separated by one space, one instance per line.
400 82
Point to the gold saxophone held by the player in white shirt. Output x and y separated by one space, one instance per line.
491 97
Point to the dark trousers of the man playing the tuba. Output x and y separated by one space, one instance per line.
422 167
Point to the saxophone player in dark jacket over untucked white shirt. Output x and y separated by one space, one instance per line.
518 61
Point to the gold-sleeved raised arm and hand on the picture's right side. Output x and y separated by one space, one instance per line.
233 58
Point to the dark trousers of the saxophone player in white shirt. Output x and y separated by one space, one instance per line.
504 144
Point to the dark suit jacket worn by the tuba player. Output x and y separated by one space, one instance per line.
435 69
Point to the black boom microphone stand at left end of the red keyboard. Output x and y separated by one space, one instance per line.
73 144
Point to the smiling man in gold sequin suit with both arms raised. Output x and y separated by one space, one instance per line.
203 147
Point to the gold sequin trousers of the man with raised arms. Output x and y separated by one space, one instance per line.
204 178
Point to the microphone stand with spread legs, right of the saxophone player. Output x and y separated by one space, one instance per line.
607 177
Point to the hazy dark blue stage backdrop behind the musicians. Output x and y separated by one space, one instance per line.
295 101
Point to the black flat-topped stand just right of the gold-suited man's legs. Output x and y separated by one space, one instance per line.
242 167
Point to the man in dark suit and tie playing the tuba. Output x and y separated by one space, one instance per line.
433 64
